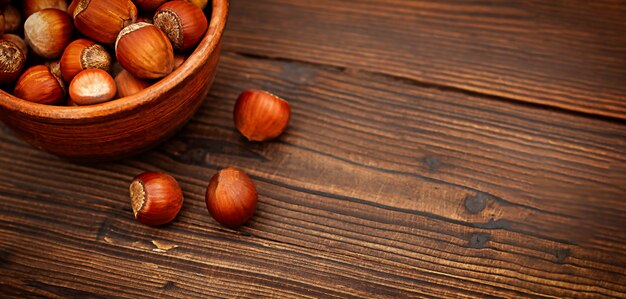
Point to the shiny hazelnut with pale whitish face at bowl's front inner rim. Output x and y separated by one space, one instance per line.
92 86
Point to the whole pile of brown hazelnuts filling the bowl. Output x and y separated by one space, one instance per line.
66 54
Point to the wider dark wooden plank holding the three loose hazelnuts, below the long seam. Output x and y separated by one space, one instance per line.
379 188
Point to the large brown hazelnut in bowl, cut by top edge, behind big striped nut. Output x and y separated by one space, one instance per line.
102 20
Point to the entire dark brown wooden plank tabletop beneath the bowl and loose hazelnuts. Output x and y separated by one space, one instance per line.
456 149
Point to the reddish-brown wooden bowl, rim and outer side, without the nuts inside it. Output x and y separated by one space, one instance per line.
126 126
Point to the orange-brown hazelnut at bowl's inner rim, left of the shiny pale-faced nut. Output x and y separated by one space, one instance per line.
38 84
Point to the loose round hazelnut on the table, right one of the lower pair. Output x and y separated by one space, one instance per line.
231 197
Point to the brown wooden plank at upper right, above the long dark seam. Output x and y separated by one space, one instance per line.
565 54
